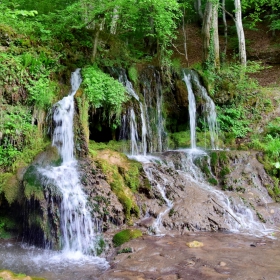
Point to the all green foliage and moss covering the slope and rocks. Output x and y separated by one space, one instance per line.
42 42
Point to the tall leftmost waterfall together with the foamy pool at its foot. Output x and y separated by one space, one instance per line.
79 232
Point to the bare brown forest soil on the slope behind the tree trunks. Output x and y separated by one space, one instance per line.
261 45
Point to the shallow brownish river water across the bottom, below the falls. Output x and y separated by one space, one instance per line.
223 256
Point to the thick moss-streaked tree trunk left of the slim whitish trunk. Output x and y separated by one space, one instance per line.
210 35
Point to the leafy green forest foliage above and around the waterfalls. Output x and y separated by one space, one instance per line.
41 42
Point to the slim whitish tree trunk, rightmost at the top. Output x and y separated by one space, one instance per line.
240 33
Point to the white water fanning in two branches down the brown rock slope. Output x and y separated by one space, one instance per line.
236 216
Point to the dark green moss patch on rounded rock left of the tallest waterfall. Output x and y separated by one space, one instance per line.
32 183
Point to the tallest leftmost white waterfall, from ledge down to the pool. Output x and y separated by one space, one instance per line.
76 224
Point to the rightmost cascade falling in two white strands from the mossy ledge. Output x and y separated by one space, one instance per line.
208 108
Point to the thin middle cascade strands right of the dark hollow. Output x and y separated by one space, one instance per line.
150 137
